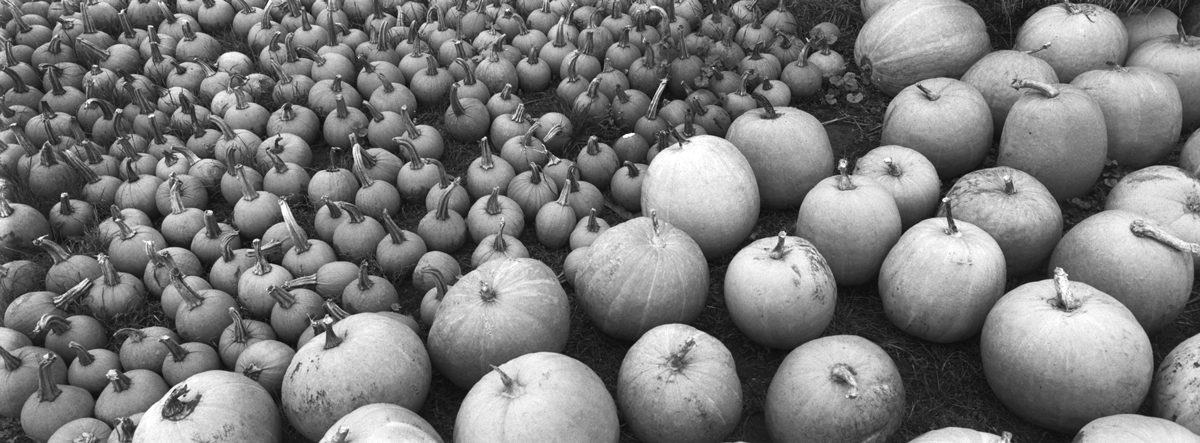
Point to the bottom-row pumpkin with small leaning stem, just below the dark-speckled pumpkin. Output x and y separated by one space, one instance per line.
680 385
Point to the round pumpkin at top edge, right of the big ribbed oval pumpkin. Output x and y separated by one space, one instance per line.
1082 37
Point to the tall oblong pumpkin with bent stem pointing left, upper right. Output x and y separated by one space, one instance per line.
1061 141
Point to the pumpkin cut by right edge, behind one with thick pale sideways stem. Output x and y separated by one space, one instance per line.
1165 194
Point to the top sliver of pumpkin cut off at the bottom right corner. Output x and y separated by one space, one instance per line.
1135 429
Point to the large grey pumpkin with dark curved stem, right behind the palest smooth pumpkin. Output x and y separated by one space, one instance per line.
788 149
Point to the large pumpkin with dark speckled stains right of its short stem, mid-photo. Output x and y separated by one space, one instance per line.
781 292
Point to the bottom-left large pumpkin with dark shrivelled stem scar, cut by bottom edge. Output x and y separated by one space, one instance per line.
213 406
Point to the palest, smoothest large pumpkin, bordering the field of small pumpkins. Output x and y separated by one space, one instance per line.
704 187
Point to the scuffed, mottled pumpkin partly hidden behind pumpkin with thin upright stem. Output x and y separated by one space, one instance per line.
1027 224
